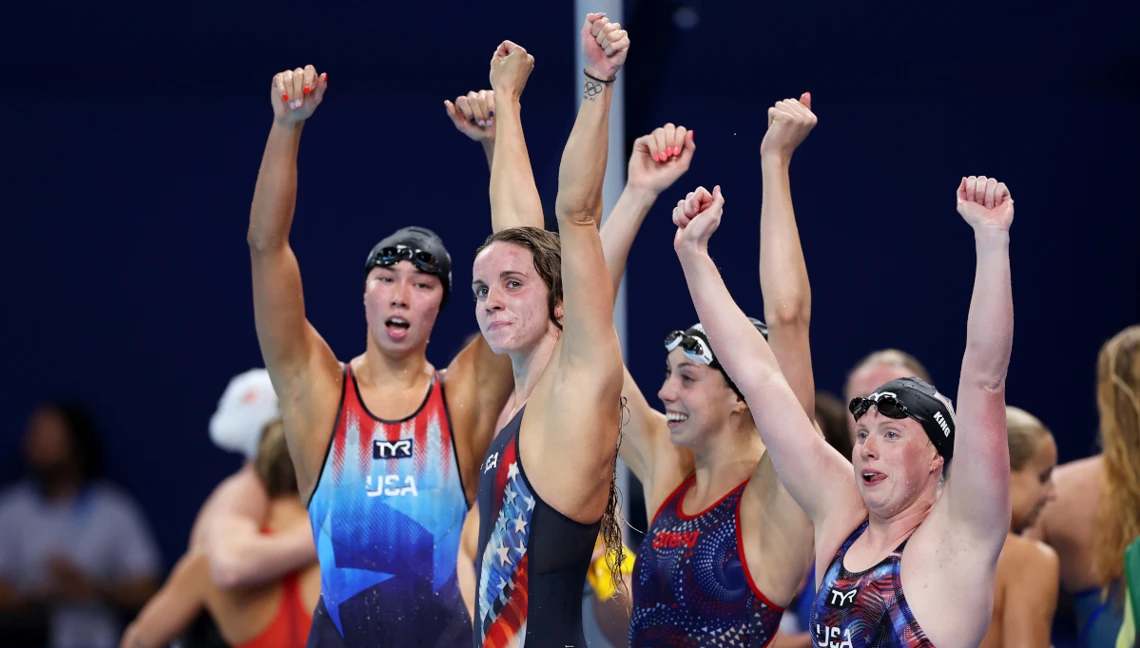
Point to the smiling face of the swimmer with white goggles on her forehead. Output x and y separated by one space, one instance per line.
697 400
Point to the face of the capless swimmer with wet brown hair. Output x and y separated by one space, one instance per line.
512 302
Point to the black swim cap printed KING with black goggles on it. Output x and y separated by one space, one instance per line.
919 401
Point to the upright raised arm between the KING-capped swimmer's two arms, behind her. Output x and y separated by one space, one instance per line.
784 273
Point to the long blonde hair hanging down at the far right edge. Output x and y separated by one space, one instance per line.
1119 406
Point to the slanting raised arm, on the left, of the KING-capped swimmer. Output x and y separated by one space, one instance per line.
815 473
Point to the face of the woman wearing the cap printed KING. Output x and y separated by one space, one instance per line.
894 463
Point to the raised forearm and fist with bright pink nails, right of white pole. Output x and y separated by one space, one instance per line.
659 159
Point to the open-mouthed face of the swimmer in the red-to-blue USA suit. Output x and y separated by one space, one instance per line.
401 307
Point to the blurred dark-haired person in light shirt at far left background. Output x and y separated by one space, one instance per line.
72 545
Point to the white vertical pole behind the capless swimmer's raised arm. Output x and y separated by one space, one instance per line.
615 168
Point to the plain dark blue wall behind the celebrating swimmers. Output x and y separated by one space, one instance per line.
134 135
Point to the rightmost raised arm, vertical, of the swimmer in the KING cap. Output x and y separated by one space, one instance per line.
978 491
